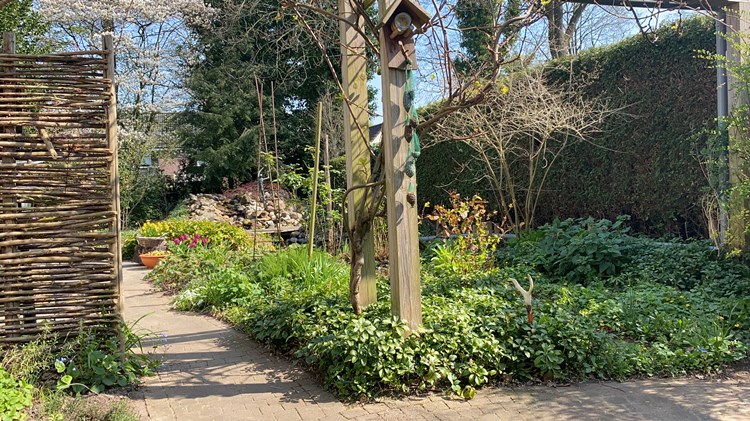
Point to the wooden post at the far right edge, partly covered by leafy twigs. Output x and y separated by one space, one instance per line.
737 18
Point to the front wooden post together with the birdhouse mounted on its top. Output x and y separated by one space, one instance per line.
400 20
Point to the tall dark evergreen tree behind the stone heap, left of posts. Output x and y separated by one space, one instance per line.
222 141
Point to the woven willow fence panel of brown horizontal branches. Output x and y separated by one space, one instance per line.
59 208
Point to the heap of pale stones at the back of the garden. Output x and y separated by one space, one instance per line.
245 211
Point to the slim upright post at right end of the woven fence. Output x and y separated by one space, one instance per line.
114 177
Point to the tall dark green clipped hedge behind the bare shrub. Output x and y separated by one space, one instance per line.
645 164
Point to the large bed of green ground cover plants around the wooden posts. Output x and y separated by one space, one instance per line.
629 307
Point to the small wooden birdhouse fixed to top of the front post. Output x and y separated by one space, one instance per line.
400 21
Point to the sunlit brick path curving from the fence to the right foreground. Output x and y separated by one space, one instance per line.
213 372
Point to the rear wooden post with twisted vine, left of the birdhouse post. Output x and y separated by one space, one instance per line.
356 137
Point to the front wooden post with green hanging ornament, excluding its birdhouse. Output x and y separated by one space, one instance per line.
403 240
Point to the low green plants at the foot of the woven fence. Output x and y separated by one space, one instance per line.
58 378
